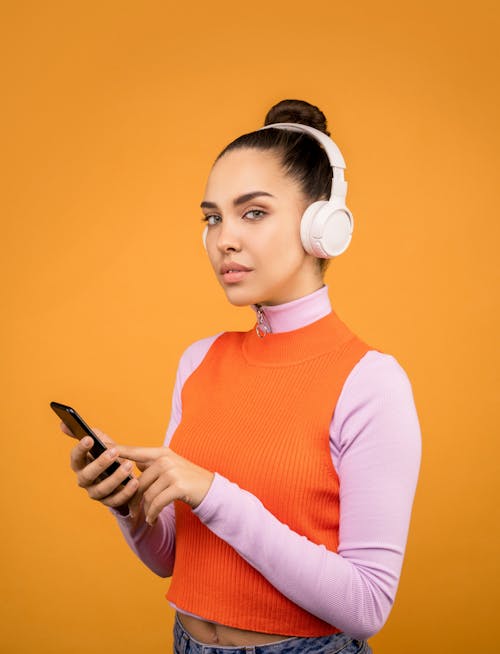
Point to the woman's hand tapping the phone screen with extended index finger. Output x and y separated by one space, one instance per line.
167 476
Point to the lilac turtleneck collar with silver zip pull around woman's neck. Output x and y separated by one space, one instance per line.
293 315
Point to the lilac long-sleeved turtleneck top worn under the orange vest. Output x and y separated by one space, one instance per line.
375 445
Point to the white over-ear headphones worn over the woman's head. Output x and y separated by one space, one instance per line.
326 225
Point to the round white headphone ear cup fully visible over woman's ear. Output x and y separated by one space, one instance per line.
326 229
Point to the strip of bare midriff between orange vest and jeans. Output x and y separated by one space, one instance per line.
210 633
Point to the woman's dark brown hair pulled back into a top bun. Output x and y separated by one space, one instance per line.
301 156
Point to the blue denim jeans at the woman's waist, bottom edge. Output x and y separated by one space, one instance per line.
185 644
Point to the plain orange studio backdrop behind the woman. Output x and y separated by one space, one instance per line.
112 115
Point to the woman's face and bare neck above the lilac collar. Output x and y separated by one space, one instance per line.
254 211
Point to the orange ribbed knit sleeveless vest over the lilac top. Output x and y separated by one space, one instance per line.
258 411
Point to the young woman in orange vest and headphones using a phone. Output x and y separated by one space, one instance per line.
284 488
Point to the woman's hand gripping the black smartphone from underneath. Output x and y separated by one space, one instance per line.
107 490
